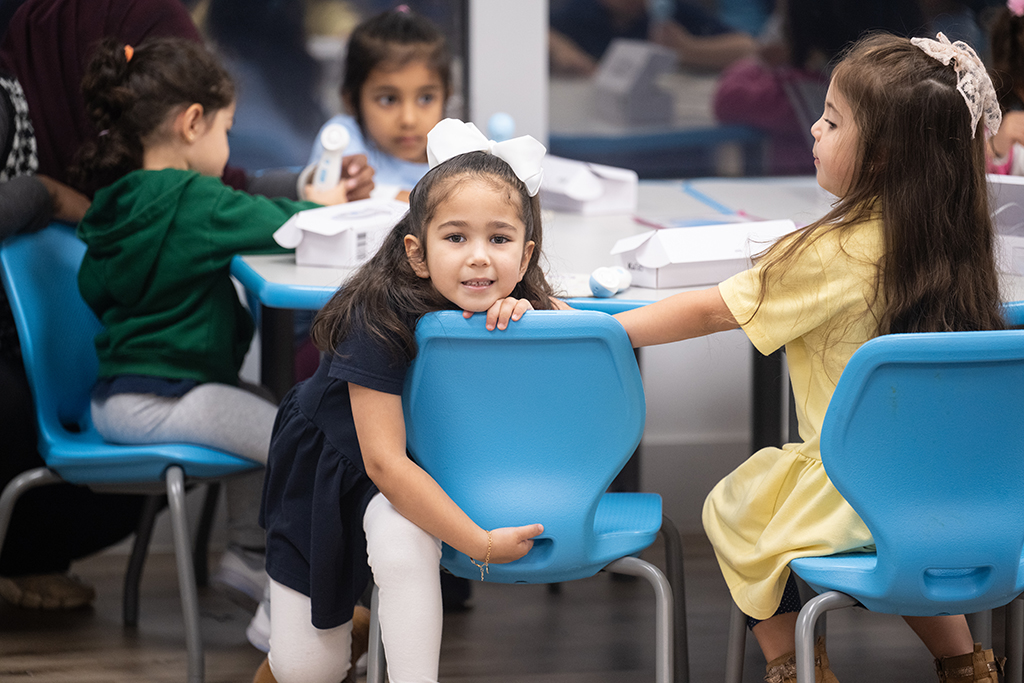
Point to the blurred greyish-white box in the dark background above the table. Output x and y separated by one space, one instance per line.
625 89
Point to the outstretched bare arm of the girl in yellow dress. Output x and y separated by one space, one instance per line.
685 316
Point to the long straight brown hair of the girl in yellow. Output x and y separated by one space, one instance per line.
920 172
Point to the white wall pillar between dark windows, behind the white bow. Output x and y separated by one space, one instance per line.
508 64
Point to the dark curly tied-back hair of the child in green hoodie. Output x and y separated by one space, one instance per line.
130 95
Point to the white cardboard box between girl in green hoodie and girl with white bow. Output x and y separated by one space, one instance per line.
342 236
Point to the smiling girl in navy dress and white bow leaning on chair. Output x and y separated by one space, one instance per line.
339 488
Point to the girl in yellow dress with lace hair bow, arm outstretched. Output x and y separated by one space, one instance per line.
908 247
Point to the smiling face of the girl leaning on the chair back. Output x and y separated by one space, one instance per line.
476 245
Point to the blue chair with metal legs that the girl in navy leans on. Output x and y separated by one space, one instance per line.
532 424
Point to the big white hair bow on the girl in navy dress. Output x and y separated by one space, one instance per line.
452 138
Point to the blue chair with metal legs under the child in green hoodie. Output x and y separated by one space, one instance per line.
57 330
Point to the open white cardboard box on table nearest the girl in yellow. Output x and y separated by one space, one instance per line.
700 255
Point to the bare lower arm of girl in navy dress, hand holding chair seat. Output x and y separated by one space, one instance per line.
380 426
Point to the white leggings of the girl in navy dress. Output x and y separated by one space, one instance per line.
405 561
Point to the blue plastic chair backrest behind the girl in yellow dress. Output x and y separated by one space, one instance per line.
924 438
